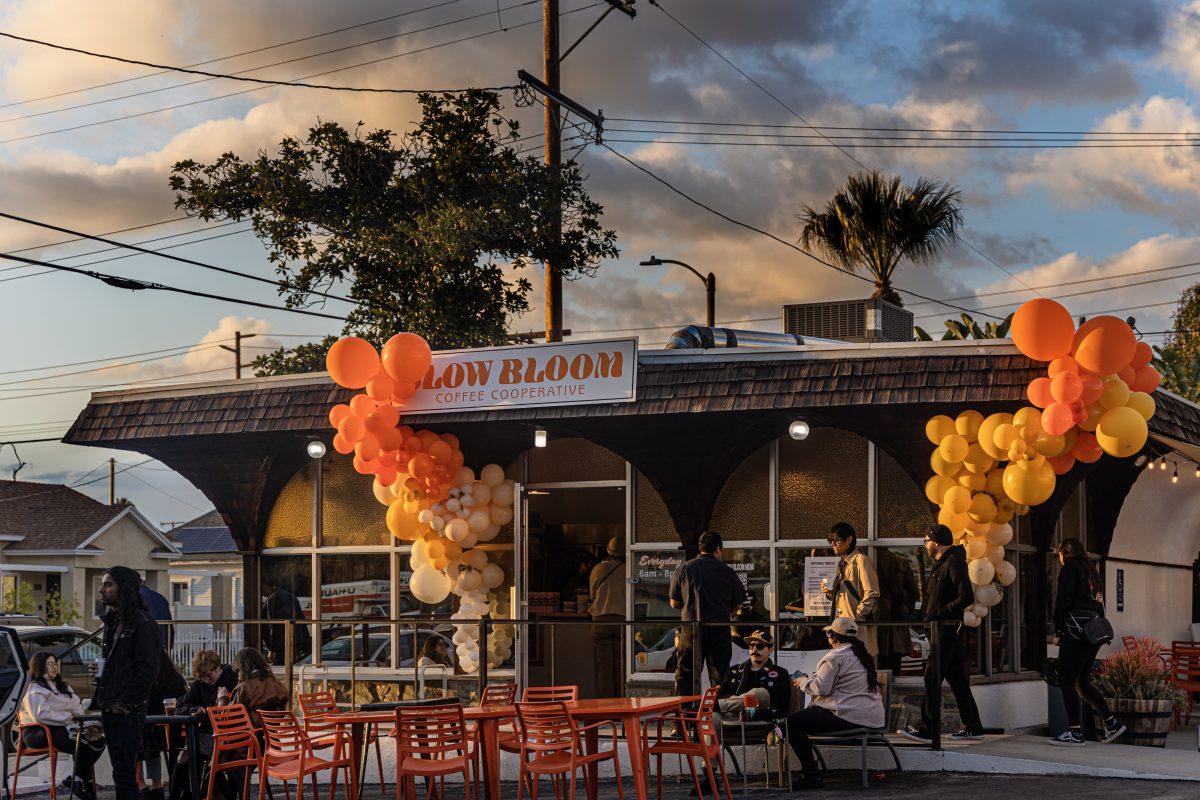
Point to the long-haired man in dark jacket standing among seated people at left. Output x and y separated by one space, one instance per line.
133 657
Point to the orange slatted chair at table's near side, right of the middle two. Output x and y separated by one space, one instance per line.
551 745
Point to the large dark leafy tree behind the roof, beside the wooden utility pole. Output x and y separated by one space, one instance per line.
424 228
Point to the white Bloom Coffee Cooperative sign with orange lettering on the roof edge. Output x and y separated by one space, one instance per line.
574 374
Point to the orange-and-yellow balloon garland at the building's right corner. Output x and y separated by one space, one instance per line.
1094 400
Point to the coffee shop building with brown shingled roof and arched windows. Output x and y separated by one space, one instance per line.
706 440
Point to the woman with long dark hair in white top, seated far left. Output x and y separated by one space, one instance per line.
50 701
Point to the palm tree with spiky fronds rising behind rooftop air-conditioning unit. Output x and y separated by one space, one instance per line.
875 222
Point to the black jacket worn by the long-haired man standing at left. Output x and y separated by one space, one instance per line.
133 657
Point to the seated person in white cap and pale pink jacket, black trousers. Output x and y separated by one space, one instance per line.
845 695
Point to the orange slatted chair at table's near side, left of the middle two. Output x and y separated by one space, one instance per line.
431 743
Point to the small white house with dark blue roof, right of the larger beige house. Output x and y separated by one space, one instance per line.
206 580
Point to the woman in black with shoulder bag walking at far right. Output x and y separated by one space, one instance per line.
1079 601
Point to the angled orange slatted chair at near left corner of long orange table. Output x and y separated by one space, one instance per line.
287 756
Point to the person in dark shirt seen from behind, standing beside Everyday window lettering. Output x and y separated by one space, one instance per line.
706 590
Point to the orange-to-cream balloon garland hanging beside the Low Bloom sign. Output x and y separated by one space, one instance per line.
434 501
